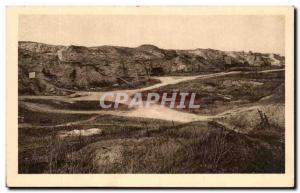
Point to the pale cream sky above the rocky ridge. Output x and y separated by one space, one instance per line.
229 33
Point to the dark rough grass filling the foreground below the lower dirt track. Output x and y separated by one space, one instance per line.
151 146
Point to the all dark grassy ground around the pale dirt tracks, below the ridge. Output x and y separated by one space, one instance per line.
250 141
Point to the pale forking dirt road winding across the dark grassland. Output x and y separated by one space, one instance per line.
154 112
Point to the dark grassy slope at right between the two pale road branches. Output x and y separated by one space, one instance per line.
218 94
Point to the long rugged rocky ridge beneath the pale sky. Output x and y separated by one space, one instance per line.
60 69
